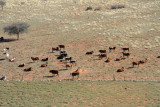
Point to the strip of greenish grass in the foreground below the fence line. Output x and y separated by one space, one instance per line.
72 93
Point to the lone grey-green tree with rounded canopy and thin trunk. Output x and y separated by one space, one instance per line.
16 29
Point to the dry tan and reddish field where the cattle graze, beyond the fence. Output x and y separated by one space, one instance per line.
52 23
